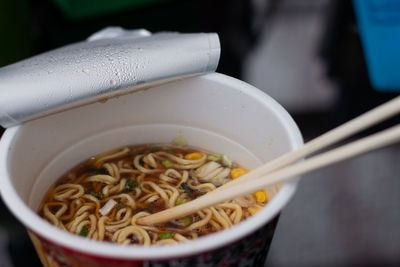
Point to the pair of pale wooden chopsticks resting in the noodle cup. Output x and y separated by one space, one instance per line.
277 170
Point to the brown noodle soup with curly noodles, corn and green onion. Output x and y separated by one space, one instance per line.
102 198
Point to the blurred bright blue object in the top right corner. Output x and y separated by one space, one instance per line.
379 27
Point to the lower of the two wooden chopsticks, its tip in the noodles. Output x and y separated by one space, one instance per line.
353 149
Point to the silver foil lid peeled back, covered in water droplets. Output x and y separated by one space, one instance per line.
111 62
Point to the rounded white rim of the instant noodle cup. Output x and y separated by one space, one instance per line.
109 250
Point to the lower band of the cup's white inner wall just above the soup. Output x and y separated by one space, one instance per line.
137 134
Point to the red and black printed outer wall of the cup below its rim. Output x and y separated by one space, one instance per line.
248 251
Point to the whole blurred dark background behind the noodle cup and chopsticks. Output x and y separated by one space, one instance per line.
325 61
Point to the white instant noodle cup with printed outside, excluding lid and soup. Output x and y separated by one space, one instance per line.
213 112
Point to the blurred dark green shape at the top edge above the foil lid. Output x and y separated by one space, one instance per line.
81 9
